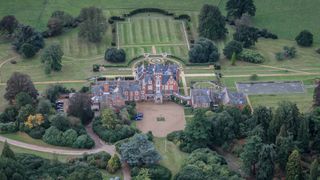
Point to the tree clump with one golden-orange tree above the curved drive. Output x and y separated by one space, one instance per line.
39 119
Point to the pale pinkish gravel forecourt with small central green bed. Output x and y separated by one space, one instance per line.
161 119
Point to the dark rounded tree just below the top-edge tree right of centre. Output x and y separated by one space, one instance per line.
248 36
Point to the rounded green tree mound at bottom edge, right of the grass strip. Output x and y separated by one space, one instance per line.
205 164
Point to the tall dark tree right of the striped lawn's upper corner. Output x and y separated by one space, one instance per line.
211 23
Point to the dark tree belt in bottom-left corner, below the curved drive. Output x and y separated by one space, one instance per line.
27 166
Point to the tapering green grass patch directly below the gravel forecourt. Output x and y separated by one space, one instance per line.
172 157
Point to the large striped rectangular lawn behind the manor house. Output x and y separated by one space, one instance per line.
140 33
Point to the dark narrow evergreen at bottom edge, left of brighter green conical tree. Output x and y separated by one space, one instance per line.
266 162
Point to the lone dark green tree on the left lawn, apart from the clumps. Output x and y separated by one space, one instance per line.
51 57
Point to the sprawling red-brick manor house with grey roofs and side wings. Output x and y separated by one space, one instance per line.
157 83
